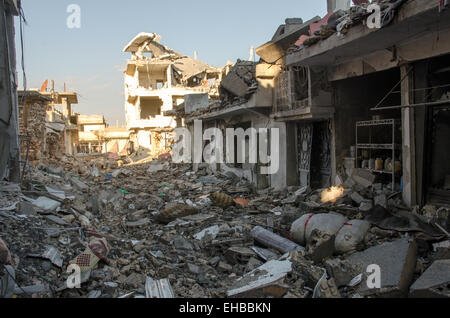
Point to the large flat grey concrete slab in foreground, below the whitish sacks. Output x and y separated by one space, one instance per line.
397 261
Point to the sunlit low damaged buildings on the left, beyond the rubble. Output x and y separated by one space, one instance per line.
50 128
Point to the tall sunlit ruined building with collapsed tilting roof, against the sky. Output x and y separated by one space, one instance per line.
157 79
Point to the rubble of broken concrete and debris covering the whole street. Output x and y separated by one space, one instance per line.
157 229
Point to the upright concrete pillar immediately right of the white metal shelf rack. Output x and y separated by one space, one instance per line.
408 138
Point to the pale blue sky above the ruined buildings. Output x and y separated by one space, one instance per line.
90 59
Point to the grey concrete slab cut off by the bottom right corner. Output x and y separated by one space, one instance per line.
434 283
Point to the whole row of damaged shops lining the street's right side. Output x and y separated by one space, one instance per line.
348 96
